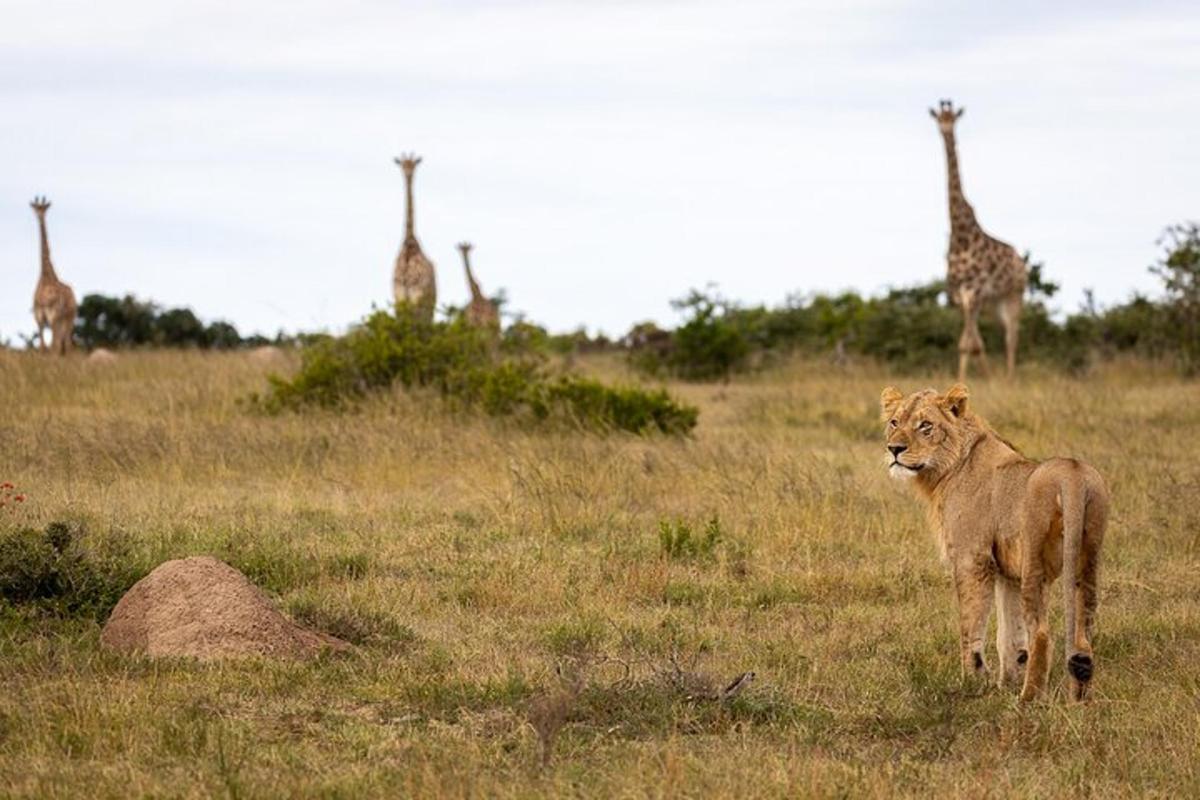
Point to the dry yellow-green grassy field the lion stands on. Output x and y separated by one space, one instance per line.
500 580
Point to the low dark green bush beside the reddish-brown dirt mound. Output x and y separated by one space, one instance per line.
63 570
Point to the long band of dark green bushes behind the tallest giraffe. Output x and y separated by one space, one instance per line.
915 328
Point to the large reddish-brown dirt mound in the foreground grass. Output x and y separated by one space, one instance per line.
205 609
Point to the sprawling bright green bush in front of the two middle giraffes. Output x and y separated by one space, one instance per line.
461 364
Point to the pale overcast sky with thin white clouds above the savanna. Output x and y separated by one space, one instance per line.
604 158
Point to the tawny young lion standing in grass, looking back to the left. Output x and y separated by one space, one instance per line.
1005 525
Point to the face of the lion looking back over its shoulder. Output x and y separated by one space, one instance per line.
923 431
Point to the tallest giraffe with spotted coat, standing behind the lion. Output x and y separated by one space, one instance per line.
982 270
